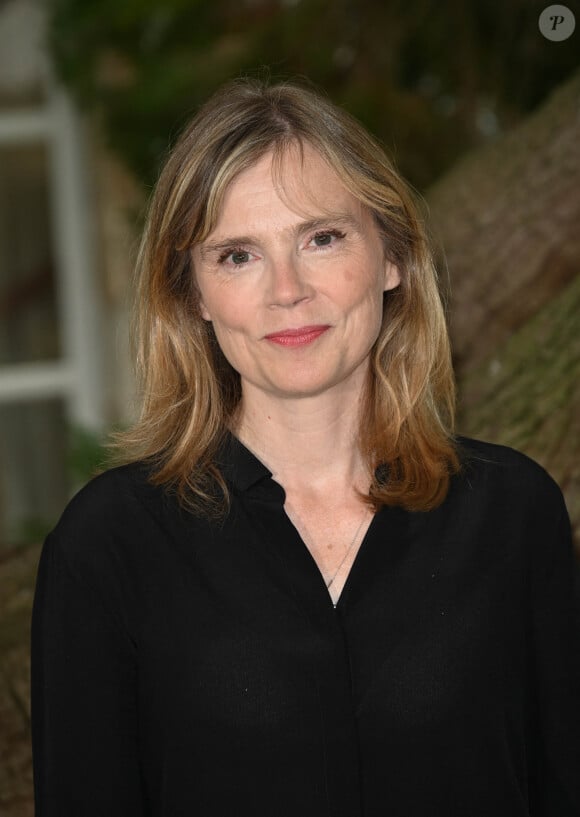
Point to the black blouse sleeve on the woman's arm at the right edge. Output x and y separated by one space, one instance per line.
556 646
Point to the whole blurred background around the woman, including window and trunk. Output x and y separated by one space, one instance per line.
480 111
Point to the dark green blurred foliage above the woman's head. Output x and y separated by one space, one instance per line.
431 77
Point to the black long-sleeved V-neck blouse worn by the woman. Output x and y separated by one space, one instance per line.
183 668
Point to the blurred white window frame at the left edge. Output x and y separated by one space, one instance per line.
77 377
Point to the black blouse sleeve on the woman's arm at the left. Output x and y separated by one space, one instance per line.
83 698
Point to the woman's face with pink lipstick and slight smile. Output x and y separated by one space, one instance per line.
292 278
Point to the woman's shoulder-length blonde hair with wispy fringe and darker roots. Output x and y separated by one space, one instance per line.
190 391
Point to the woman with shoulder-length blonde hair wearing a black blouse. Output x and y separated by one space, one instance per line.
302 595
